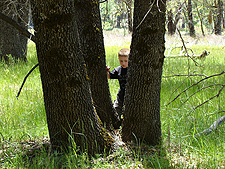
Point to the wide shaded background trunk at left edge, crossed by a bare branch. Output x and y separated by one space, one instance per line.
11 41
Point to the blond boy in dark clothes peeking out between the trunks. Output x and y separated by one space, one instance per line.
120 73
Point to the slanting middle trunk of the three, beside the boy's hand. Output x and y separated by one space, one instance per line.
91 37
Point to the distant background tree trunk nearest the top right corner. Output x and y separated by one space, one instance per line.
218 17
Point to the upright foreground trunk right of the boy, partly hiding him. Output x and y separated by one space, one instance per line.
142 98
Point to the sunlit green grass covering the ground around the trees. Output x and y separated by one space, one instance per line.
24 119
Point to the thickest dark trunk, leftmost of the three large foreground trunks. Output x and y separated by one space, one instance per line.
70 114
